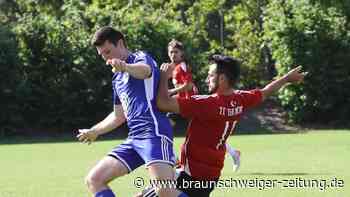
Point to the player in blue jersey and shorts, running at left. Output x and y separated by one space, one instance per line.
150 139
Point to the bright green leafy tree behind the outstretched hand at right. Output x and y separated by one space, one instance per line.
316 36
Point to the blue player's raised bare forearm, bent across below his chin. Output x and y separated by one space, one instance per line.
139 70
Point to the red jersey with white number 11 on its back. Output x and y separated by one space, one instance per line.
212 120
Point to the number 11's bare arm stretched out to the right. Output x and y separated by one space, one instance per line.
293 76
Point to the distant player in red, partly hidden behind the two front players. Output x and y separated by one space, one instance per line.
181 77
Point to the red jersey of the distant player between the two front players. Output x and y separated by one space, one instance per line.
182 75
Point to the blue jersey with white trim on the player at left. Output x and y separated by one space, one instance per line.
138 99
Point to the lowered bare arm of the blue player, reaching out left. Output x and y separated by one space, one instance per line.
112 121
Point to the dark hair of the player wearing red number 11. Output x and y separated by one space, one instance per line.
228 66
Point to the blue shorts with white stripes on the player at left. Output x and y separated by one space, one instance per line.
136 152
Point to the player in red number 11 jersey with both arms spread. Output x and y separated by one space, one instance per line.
212 119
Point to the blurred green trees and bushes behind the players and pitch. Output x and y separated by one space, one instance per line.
51 77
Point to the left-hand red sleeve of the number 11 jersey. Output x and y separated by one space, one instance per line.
195 106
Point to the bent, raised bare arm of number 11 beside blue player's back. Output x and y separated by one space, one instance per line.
164 101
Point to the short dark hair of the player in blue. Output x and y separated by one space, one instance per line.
107 33
